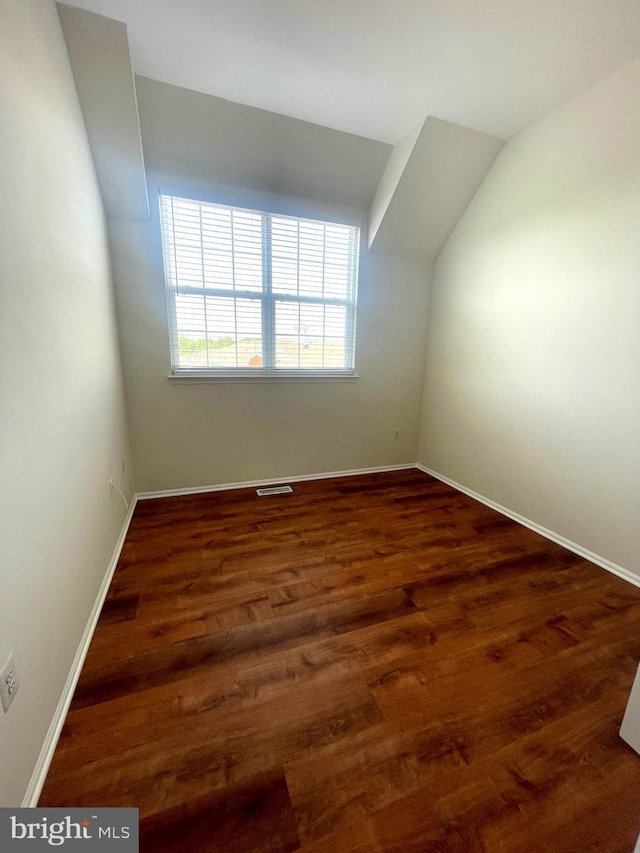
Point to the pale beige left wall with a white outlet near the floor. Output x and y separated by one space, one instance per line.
62 430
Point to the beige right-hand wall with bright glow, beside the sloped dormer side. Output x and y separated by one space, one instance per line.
532 393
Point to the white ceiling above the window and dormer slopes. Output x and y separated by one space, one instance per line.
378 67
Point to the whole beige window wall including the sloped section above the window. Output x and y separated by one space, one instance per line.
186 434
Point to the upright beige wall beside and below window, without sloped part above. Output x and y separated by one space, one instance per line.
188 434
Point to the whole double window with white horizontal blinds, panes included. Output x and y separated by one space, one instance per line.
253 293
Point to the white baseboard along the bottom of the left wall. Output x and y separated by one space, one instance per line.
51 741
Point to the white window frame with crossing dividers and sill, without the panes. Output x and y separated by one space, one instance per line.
268 299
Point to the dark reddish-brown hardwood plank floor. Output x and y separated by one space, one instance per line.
375 663
